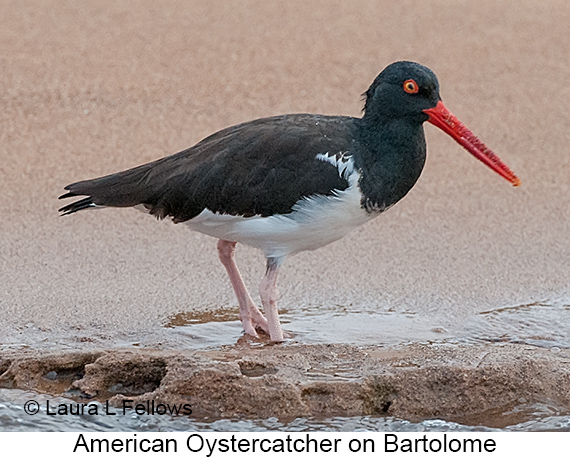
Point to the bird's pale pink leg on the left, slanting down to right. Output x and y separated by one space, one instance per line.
250 316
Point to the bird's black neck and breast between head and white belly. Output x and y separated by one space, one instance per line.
390 160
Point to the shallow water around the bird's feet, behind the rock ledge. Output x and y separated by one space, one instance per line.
537 324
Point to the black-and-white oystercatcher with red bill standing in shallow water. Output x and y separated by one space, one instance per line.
293 182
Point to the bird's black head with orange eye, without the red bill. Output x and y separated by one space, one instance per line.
402 90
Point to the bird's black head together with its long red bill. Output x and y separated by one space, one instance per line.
408 90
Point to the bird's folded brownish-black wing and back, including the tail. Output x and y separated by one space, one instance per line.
262 167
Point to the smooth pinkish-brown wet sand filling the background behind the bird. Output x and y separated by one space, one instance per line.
92 89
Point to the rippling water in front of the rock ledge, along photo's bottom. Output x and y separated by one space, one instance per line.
13 418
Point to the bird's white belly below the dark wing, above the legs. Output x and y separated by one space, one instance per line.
314 222
